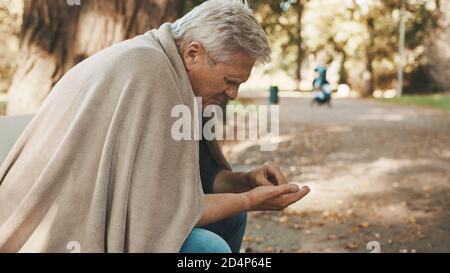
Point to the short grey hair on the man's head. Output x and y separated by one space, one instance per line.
224 28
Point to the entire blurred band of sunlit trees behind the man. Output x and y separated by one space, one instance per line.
357 40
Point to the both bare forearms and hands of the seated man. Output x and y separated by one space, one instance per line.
264 188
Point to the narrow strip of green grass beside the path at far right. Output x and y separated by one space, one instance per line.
438 101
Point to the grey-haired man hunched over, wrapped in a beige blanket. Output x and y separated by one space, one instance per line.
97 169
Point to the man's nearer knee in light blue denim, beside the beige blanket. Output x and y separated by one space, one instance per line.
204 241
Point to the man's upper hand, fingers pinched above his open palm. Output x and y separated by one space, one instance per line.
267 175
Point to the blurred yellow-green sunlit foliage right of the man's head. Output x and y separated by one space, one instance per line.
360 33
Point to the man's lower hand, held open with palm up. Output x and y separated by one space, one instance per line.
274 197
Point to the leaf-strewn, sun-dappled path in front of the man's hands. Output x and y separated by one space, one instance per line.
377 172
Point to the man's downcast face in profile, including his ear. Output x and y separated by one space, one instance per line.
216 83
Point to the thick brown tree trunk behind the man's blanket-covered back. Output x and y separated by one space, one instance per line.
56 35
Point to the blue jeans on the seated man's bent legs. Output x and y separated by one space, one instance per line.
222 237
